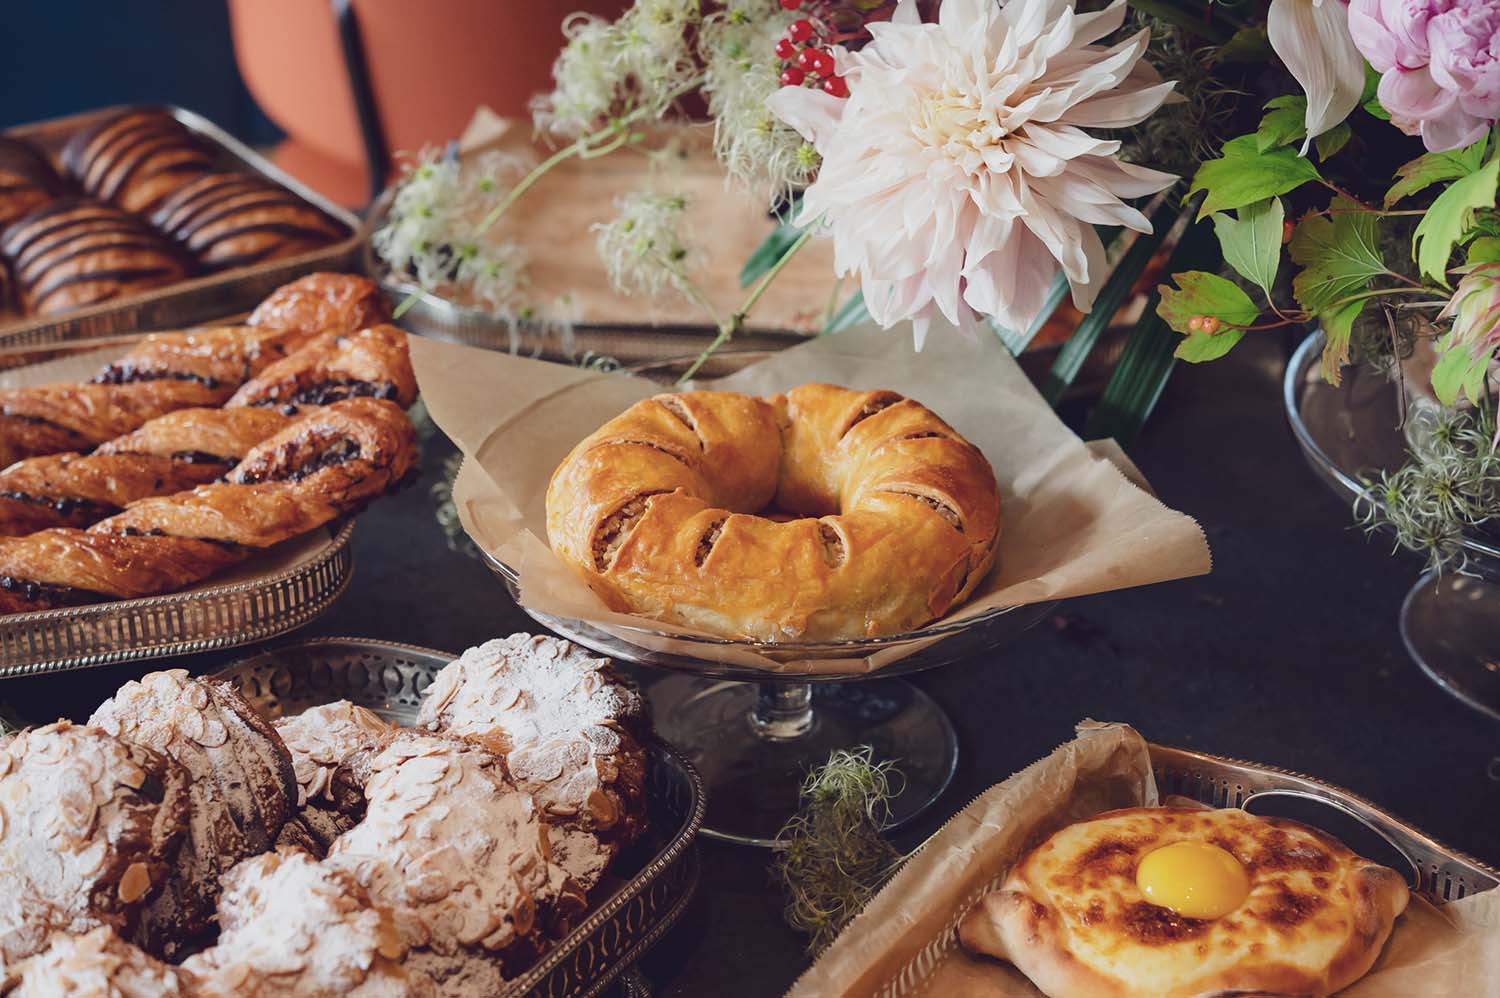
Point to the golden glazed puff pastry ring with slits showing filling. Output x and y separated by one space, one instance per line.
893 516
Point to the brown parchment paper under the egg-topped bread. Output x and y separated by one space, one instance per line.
905 943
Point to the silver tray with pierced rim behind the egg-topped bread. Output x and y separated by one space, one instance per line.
1438 873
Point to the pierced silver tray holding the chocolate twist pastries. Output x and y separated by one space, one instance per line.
215 616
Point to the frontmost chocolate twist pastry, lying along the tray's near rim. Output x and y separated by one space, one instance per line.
322 467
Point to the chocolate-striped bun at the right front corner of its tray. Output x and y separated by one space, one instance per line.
230 220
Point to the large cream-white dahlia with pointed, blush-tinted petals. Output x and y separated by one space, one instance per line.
958 175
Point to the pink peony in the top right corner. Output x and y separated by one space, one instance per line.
1439 65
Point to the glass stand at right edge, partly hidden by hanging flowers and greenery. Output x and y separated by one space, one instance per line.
1450 624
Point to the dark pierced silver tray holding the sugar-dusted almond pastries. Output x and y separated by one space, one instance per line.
628 918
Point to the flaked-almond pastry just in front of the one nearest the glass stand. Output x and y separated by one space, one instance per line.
452 847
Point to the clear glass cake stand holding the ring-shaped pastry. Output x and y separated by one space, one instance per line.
754 733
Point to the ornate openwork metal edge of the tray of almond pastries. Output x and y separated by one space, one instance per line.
571 969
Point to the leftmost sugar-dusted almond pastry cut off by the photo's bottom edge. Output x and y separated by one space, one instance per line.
97 966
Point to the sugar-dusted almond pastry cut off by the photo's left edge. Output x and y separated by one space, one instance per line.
89 834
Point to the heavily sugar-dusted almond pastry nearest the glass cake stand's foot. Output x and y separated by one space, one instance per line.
559 717
